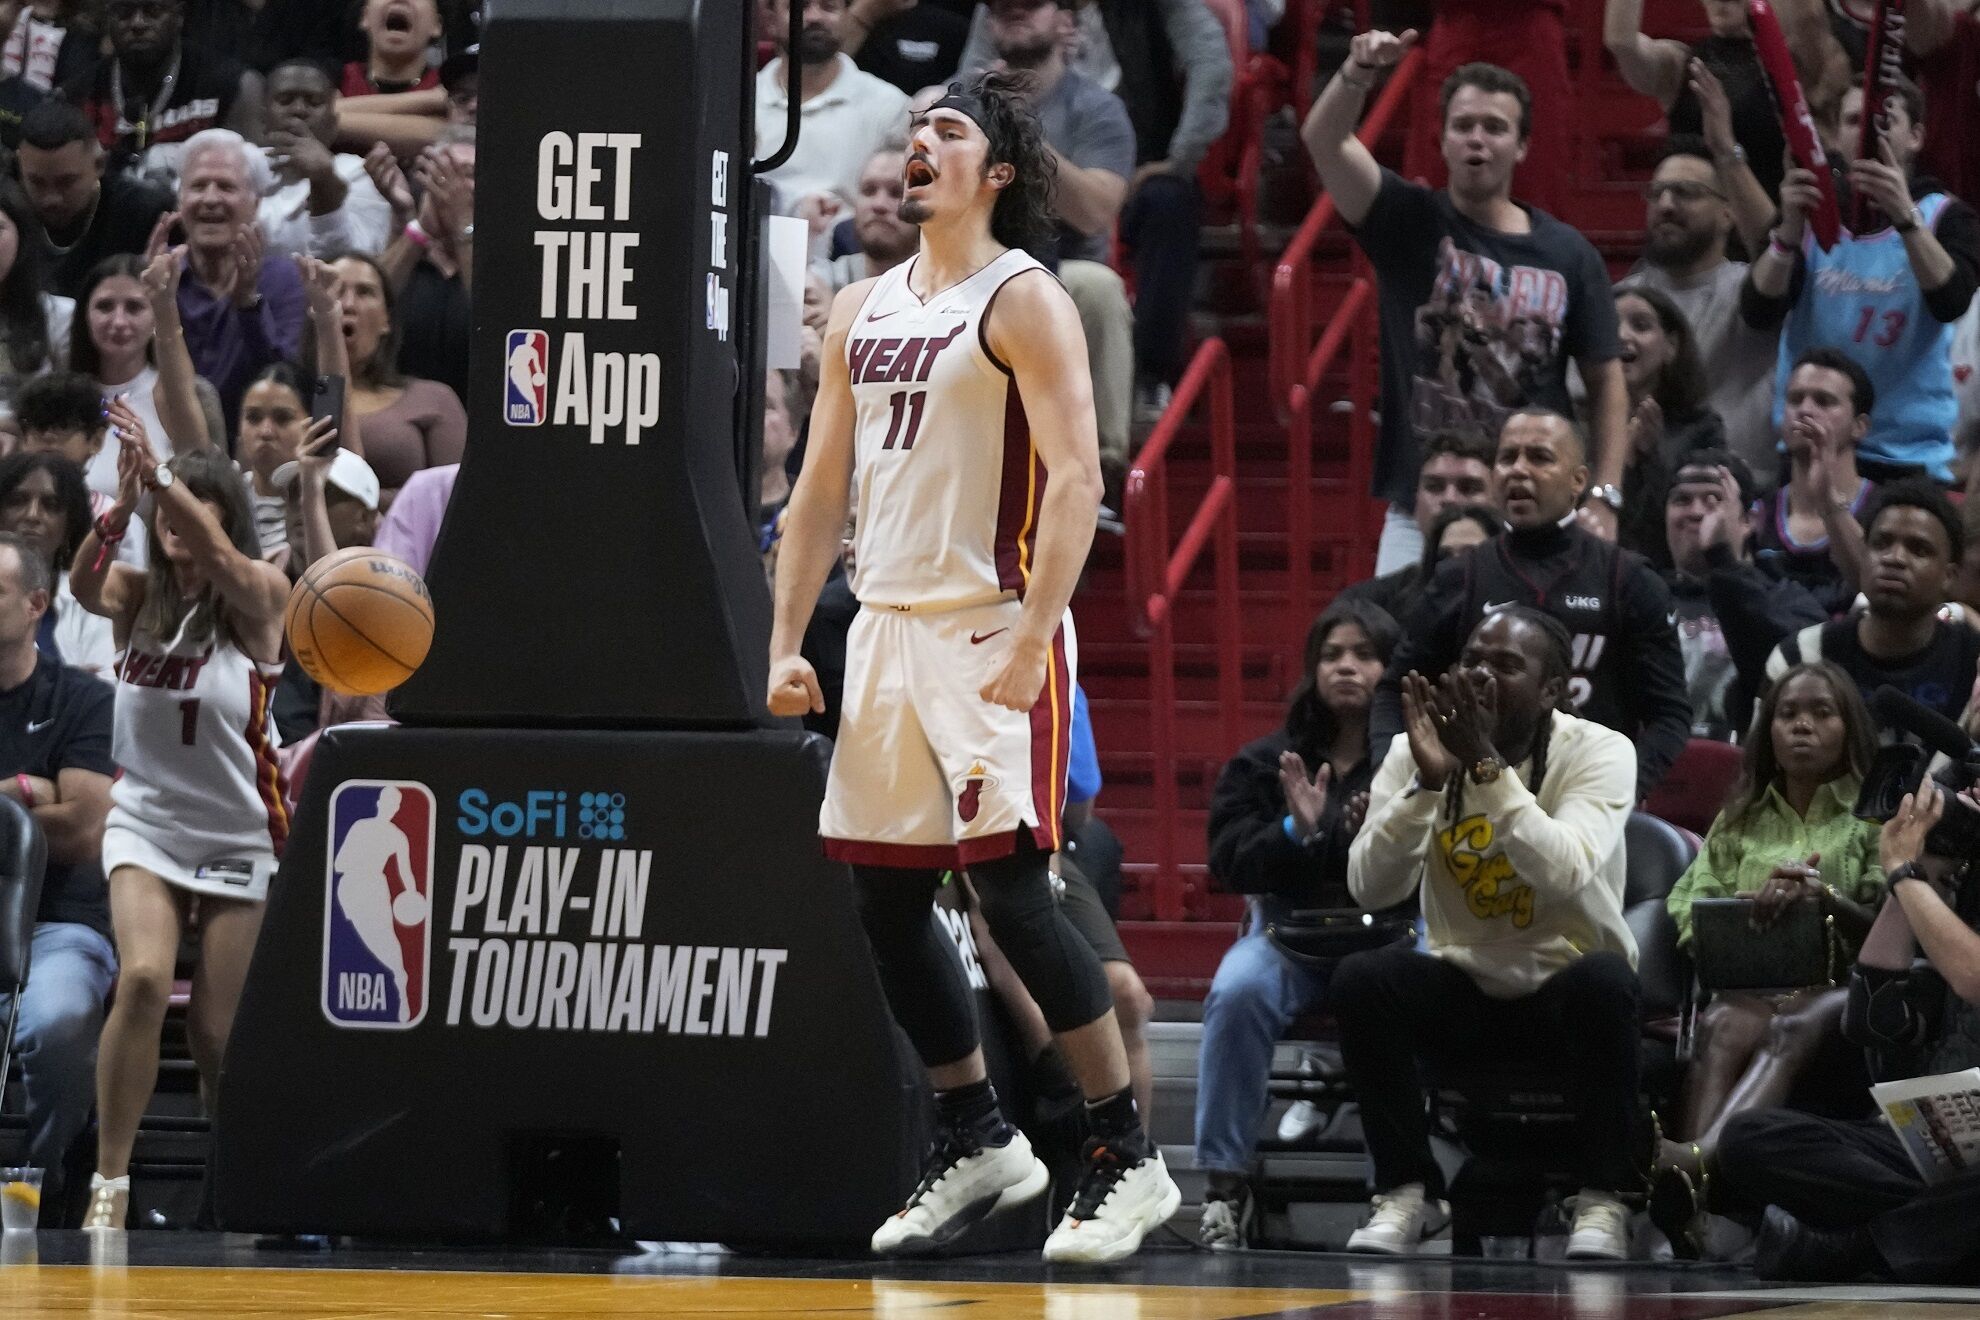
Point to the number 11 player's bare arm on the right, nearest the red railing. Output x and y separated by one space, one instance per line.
1035 330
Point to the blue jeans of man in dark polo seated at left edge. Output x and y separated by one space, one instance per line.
56 1038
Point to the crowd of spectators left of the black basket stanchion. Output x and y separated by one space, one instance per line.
215 217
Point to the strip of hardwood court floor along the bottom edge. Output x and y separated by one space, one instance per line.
183 1275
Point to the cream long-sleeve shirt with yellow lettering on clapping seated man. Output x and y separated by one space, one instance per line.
1516 888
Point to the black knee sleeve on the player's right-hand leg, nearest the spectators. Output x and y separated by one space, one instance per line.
1062 971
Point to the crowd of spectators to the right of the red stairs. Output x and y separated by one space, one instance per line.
1716 500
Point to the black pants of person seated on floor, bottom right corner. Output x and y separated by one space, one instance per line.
1846 1175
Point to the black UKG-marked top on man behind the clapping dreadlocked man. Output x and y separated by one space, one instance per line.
1629 672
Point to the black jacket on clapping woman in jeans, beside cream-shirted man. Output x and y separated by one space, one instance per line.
1250 852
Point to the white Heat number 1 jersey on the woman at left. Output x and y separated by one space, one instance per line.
197 749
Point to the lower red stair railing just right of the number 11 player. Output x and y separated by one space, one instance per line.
1155 579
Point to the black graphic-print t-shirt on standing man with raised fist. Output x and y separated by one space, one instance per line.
1476 324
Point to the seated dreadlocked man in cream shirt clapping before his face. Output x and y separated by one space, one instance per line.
1510 812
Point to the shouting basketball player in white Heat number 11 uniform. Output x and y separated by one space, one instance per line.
955 395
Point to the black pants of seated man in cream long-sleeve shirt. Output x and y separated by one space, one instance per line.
1401 1008
